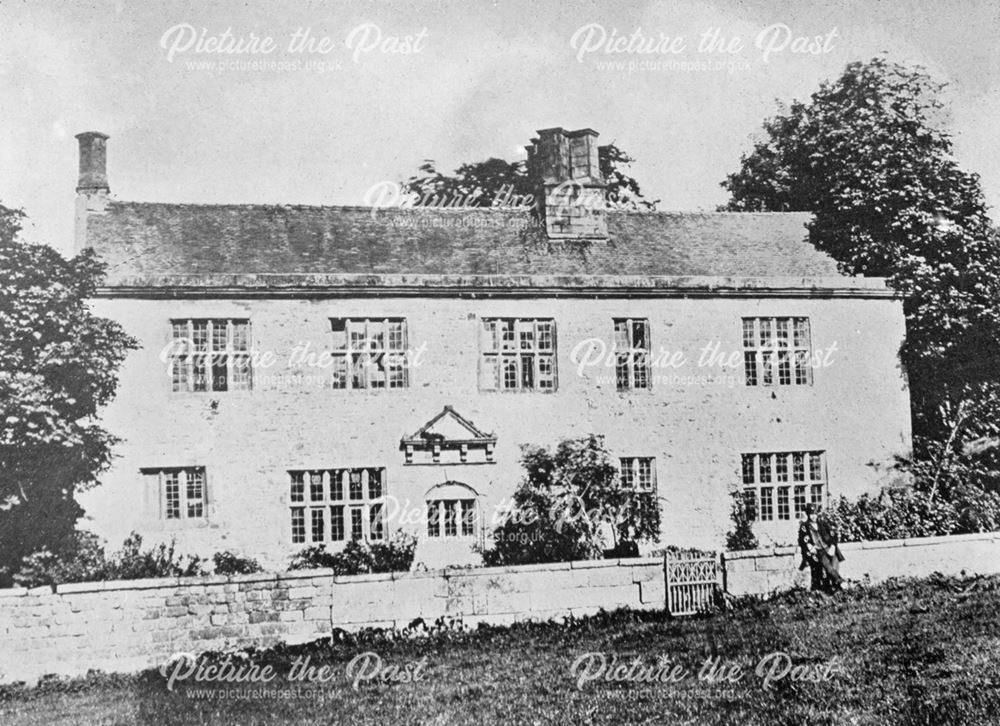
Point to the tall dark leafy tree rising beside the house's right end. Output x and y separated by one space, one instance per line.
869 154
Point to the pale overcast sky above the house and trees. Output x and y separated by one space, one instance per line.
484 77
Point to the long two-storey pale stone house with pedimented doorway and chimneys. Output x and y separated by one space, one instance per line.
312 374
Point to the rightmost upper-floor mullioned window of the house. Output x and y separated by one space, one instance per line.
776 351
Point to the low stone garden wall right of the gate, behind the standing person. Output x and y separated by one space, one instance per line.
760 572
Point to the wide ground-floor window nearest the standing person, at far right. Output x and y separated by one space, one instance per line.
778 486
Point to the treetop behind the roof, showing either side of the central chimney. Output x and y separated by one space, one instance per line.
498 182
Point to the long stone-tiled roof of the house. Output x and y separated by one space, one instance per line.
145 240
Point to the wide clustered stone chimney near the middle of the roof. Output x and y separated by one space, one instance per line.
566 173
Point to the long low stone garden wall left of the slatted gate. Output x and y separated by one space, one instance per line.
132 625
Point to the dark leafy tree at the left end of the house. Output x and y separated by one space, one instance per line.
58 364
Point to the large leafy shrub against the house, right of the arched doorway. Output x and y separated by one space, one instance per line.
565 498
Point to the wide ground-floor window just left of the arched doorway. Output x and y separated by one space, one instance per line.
333 505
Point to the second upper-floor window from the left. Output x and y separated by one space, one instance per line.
370 353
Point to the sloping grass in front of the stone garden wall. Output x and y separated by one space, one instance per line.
907 652
